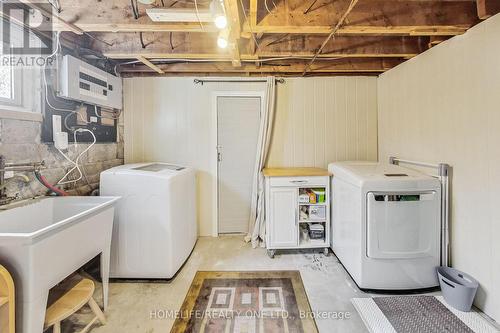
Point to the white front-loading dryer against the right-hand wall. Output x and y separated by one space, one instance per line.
386 225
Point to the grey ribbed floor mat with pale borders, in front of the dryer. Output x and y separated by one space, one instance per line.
416 314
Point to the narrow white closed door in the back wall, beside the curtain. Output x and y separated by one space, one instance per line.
237 135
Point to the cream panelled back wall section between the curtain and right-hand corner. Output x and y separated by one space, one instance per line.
321 120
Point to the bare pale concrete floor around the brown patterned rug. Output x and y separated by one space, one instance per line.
132 305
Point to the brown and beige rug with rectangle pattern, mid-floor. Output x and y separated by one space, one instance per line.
250 302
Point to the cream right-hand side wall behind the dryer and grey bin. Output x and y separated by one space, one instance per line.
444 106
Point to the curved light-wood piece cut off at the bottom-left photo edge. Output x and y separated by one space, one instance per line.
7 304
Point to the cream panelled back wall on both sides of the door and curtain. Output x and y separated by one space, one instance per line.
318 120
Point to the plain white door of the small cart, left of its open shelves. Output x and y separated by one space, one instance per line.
283 217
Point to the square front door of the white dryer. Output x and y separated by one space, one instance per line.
402 225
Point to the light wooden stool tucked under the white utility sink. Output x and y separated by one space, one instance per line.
72 301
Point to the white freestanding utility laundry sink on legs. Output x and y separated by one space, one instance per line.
42 241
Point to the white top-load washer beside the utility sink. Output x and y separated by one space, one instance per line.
155 226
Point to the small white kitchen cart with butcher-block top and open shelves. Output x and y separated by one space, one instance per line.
297 209
